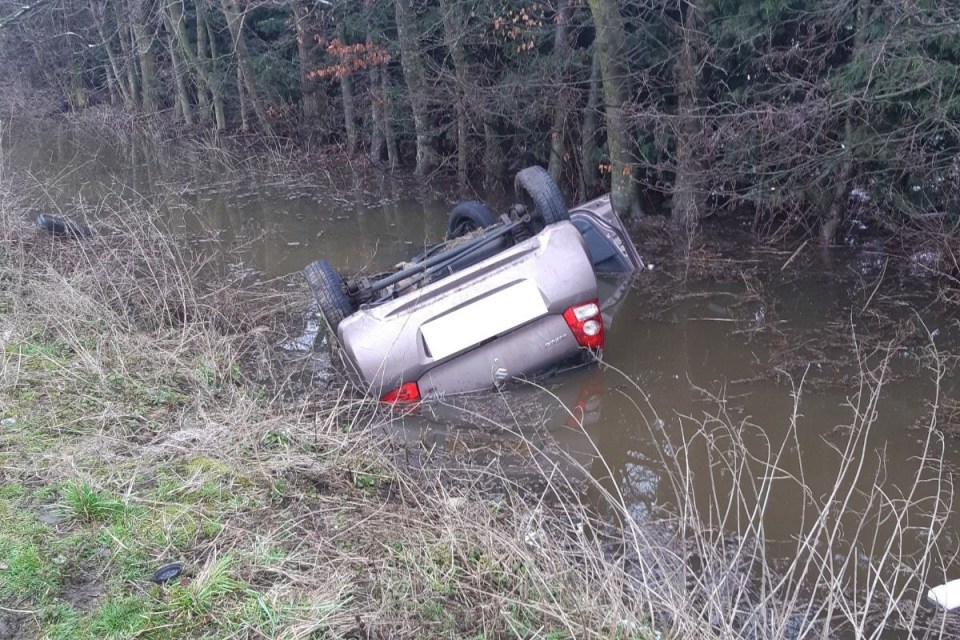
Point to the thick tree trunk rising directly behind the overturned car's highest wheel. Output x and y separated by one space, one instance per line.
609 41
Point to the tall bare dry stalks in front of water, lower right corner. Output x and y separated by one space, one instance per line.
857 566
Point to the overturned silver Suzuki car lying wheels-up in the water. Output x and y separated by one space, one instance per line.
502 297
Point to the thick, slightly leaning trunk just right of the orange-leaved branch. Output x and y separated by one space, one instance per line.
415 76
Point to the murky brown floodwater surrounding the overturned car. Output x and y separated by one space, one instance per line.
713 347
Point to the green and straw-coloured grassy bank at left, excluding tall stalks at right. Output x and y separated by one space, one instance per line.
133 436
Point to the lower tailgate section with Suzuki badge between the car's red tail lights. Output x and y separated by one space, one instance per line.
527 350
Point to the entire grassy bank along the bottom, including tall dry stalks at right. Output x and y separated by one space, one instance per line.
145 422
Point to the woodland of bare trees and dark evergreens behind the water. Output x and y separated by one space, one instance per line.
801 115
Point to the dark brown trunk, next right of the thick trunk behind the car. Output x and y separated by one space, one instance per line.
688 198
